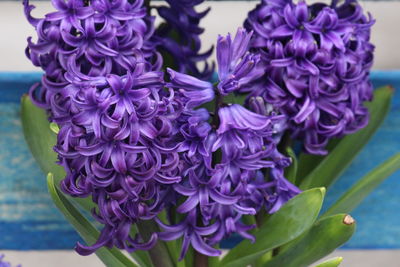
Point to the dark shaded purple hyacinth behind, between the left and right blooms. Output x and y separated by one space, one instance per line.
178 37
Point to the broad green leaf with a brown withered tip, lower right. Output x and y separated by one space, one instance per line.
324 237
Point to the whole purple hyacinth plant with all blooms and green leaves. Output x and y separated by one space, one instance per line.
174 161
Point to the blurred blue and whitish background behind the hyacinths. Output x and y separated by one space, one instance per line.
33 233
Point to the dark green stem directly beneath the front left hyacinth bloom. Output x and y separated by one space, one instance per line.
159 254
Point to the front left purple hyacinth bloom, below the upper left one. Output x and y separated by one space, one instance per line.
117 148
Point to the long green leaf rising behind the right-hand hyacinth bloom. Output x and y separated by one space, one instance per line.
337 161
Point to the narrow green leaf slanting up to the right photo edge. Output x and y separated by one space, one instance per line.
353 197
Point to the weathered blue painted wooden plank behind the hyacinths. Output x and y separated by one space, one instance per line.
28 219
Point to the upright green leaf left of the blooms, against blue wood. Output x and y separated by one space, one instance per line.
40 138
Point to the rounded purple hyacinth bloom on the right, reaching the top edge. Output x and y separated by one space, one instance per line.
316 61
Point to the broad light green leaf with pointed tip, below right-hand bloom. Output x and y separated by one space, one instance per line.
294 218
